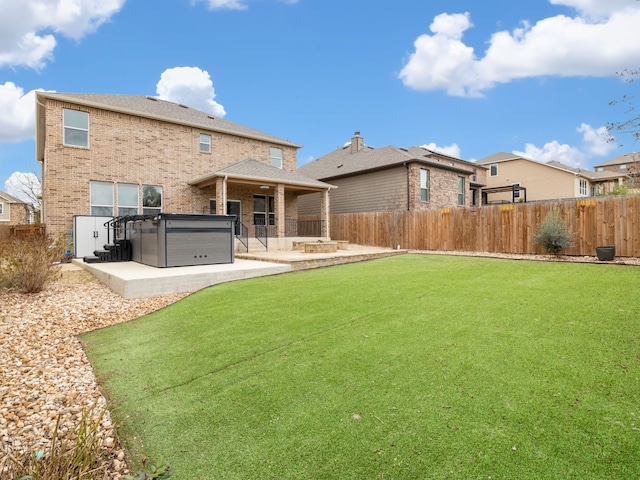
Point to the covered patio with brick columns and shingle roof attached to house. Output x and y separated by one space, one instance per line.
264 198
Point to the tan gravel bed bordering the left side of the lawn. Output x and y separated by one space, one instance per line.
44 372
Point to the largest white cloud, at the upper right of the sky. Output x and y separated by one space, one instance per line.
599 40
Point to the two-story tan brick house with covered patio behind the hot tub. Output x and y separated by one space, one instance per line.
115 155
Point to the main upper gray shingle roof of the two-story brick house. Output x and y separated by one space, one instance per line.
153 107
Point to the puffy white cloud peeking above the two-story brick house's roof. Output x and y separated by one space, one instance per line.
189 86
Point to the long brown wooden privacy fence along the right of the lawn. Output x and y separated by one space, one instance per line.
505 228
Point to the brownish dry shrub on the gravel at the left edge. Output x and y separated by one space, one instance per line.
28 264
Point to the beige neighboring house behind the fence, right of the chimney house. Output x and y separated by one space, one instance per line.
514 178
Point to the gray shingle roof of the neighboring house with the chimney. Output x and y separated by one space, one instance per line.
341 162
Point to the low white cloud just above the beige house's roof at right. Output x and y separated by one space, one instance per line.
594 144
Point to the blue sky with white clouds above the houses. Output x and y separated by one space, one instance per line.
465 77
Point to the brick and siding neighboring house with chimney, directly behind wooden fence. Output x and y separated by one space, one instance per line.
391 178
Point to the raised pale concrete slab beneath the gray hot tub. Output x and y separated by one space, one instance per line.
135 280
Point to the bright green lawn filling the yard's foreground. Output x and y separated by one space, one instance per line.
411 367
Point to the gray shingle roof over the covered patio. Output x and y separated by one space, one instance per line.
253 170
